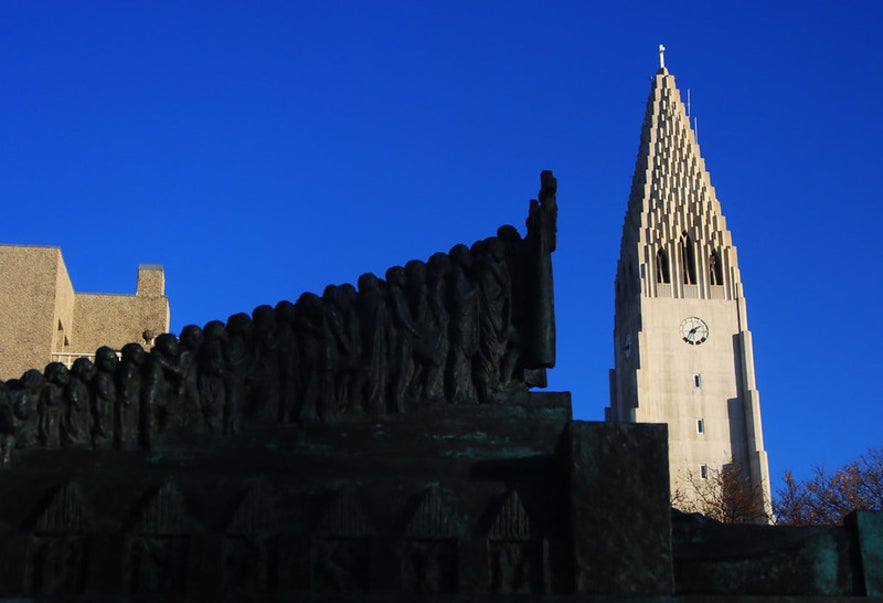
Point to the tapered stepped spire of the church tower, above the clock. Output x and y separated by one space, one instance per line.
673 208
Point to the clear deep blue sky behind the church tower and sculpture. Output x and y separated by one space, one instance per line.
261 149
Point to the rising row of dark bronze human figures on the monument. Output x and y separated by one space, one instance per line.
473 326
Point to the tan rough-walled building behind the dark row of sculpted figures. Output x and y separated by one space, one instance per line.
43 319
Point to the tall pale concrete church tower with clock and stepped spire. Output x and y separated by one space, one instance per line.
683 352
